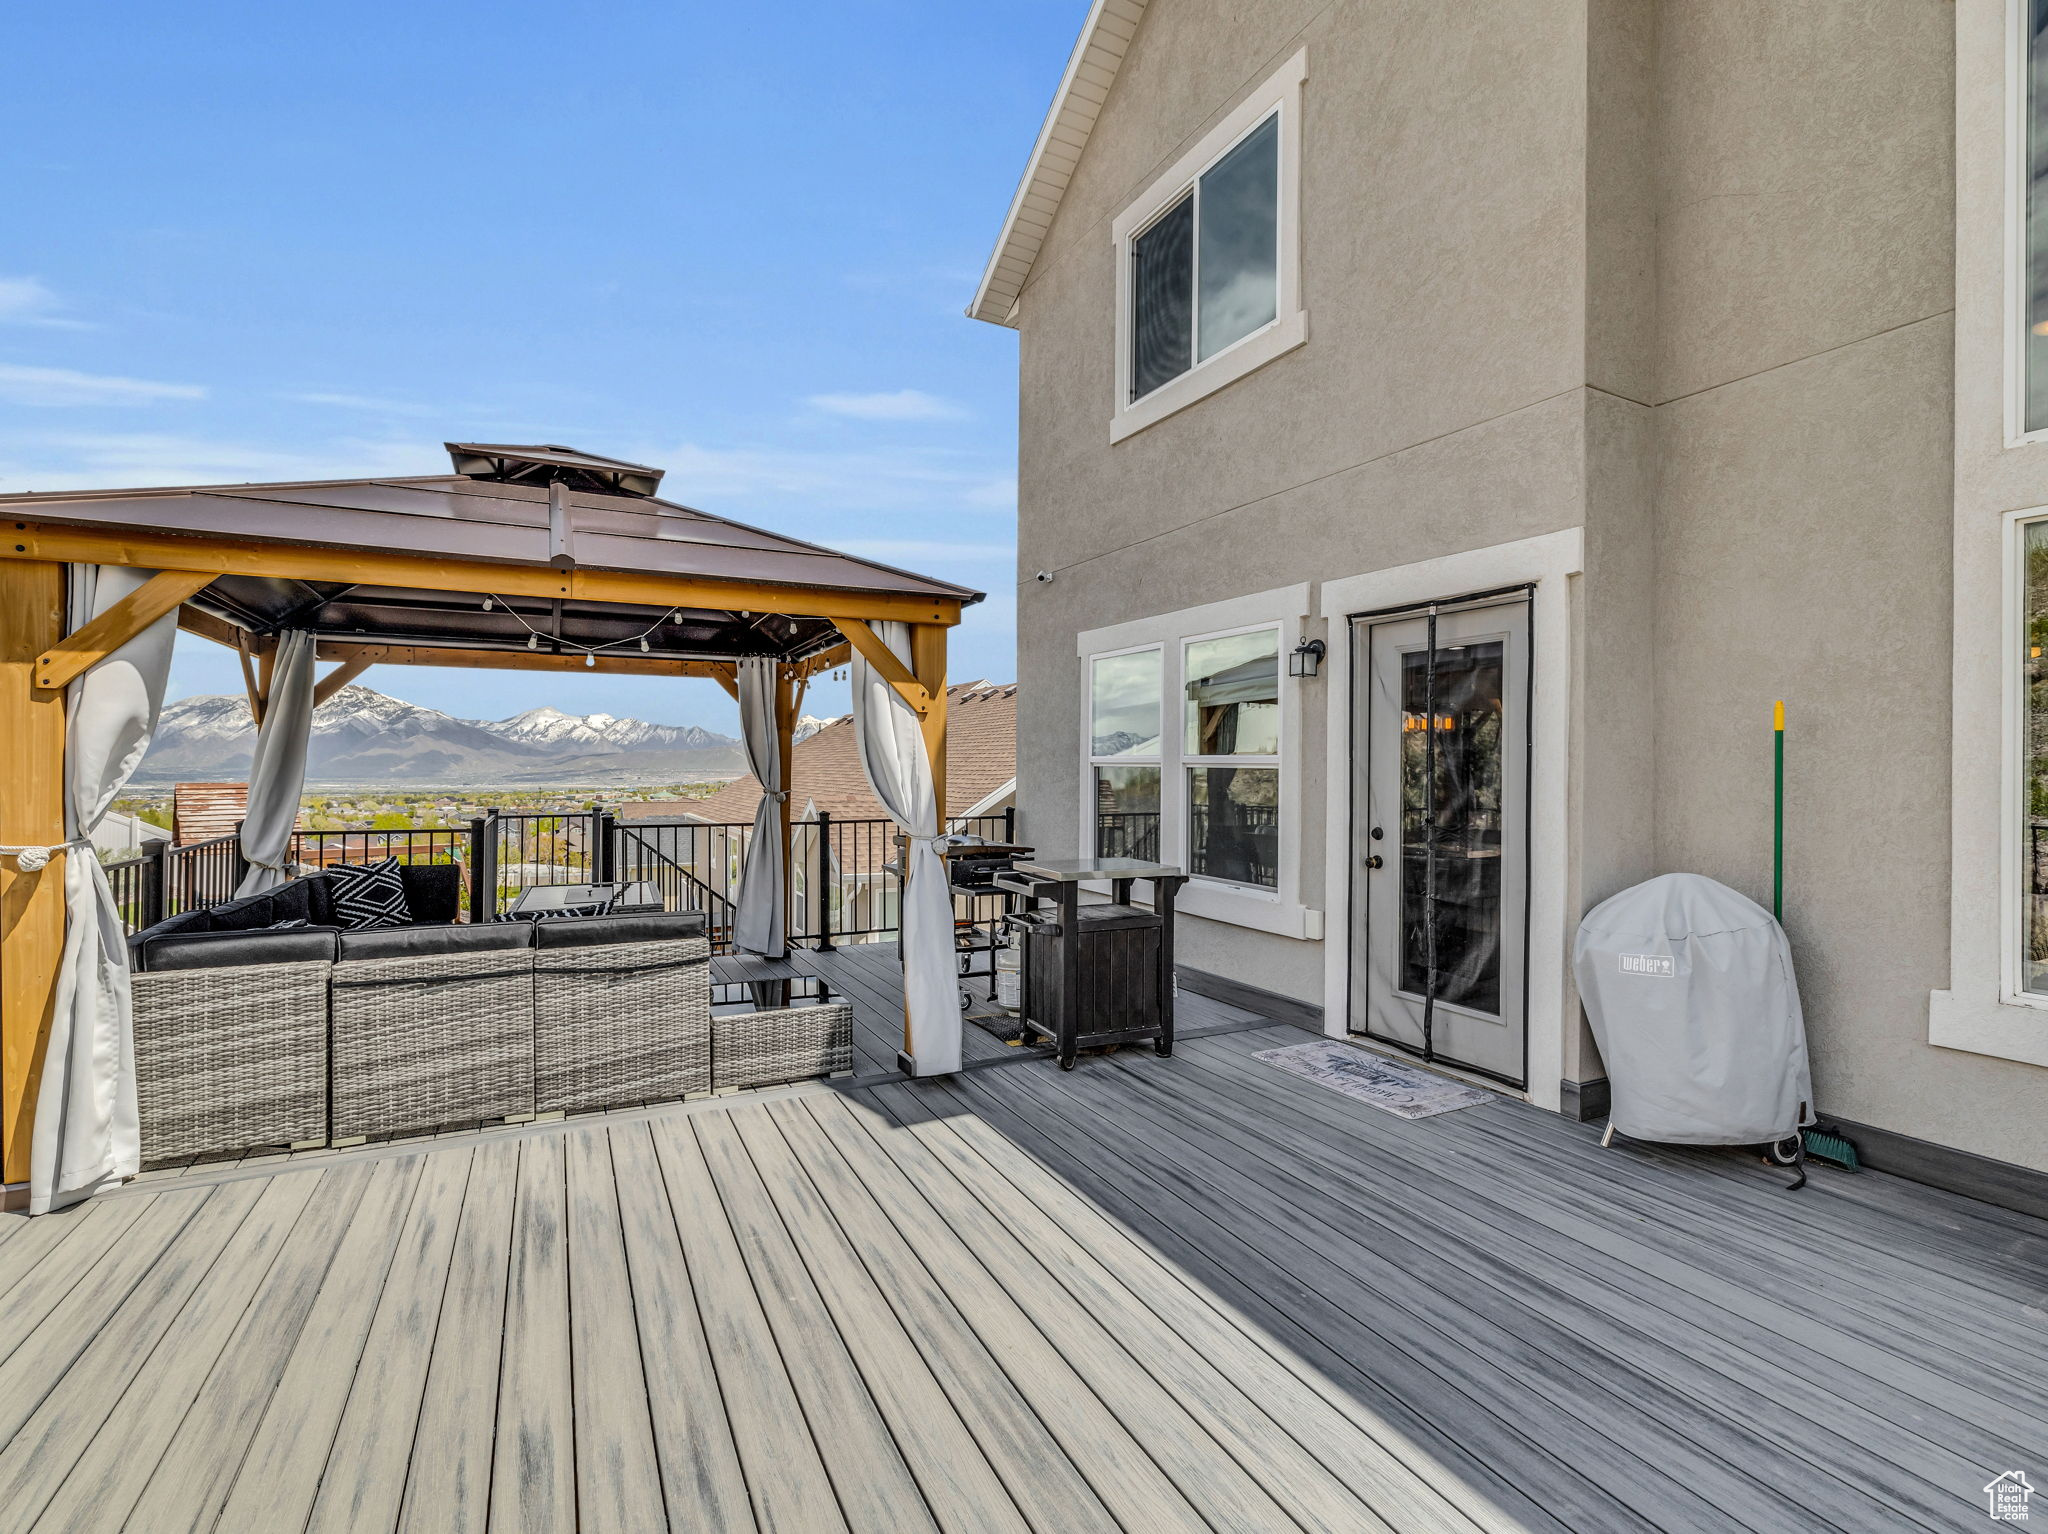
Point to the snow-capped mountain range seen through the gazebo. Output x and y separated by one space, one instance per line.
368 738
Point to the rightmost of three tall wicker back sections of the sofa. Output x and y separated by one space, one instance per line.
622 1023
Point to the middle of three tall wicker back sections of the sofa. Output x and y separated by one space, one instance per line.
433 1039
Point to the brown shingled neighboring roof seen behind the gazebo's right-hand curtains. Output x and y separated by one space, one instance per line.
982 763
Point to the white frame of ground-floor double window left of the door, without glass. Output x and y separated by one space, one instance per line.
1279 910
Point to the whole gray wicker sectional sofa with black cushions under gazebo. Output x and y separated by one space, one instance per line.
261 1037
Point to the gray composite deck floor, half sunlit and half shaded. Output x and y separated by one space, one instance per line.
1144 1295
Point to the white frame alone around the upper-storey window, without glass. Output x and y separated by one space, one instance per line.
1279 95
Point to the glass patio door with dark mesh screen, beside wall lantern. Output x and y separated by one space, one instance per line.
1441 835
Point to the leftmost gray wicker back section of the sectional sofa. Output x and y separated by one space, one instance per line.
232 1058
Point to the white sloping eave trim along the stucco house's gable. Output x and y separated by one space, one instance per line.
1091 73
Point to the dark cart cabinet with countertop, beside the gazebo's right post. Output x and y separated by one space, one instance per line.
1095 974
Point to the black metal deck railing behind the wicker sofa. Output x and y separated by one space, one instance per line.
845 873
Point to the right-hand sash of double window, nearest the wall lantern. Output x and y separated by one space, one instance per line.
1232 755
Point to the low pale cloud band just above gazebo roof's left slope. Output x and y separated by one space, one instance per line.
122 460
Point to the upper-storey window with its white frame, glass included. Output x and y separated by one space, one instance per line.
1207 261
